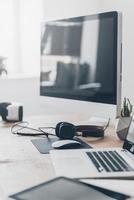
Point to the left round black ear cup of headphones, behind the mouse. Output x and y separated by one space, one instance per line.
65 130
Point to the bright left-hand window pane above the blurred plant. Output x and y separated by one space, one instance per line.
7 34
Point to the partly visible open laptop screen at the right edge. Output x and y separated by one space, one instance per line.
129 142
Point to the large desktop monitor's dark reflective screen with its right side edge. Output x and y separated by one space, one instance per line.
81 58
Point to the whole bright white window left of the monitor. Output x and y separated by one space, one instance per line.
20 37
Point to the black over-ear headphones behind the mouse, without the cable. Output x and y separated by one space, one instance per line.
65 130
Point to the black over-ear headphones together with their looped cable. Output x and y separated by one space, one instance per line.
63 130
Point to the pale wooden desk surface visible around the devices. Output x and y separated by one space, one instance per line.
22 166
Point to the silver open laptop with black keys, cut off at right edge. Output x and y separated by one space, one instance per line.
97 163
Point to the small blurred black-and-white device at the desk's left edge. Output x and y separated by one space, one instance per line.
11 112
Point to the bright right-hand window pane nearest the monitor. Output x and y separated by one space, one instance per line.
29 27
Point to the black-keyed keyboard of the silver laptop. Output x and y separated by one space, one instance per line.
109 161
